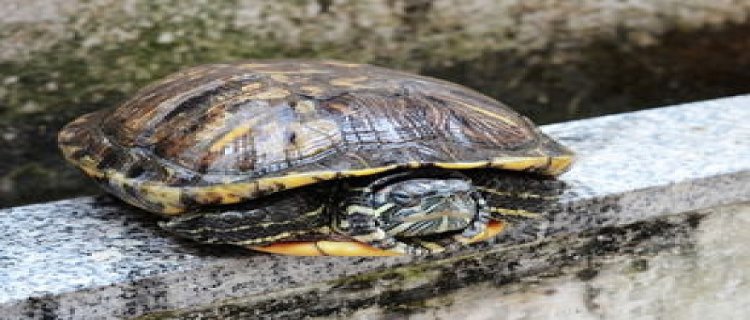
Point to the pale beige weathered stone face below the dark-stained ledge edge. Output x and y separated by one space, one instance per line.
689 267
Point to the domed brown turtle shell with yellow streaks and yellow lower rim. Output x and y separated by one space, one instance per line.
227 133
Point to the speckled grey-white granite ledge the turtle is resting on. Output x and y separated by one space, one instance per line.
91 258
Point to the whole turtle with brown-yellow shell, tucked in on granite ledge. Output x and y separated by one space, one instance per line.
314 157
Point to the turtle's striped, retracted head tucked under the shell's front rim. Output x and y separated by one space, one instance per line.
397 211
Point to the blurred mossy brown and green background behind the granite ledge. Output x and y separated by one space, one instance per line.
553 60
